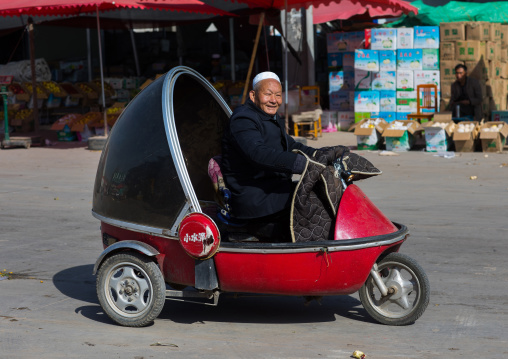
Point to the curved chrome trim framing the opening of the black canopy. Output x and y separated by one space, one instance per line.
172 135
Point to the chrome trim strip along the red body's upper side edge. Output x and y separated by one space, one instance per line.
318 248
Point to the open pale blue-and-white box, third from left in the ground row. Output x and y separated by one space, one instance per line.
438 139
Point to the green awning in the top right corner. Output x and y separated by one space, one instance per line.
496 11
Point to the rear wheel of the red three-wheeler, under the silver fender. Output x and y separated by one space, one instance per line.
131 289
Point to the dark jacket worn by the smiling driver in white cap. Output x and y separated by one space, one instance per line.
257 162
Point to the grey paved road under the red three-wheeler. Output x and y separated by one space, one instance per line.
49 240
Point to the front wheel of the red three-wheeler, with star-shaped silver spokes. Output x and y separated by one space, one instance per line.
411 296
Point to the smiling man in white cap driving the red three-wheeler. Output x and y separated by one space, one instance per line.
257 159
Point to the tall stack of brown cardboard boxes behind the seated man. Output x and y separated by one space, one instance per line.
483 48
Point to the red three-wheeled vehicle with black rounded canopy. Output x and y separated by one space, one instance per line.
163 239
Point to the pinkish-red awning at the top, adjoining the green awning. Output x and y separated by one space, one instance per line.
346 9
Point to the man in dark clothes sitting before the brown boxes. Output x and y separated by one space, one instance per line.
467 94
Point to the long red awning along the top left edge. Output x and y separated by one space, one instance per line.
72 8
